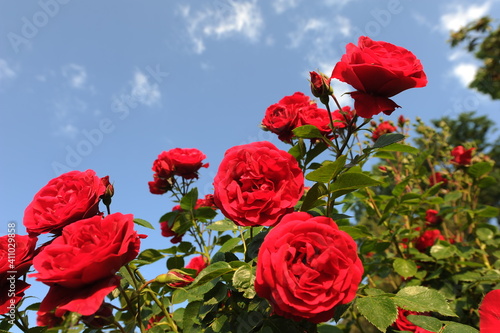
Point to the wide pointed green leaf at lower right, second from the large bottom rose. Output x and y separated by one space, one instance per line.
423 299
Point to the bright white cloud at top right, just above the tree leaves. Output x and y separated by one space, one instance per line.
458 15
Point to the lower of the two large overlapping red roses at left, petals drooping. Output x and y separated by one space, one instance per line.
80 265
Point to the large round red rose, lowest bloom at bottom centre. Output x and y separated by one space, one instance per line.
306 266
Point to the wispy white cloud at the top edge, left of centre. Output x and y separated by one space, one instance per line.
223 20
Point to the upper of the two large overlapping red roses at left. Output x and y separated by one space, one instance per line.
65 199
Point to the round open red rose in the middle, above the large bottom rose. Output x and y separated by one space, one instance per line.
257 184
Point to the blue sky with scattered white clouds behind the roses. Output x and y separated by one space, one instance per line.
109 85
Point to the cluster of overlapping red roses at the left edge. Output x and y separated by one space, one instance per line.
80 263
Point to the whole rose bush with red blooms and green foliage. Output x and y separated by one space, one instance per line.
305 236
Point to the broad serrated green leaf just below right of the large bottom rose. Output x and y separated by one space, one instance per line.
378 310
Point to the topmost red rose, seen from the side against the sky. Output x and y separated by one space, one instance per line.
378 70
